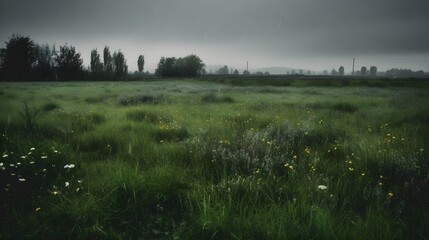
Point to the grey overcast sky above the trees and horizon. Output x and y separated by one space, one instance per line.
308 34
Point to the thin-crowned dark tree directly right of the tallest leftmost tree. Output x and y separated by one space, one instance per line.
44 66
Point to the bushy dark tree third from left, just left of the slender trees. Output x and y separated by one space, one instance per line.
69 64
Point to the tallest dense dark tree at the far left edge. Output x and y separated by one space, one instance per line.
19 58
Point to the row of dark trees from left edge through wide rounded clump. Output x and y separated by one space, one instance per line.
24 60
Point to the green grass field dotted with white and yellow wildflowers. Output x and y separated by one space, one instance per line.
218 159
